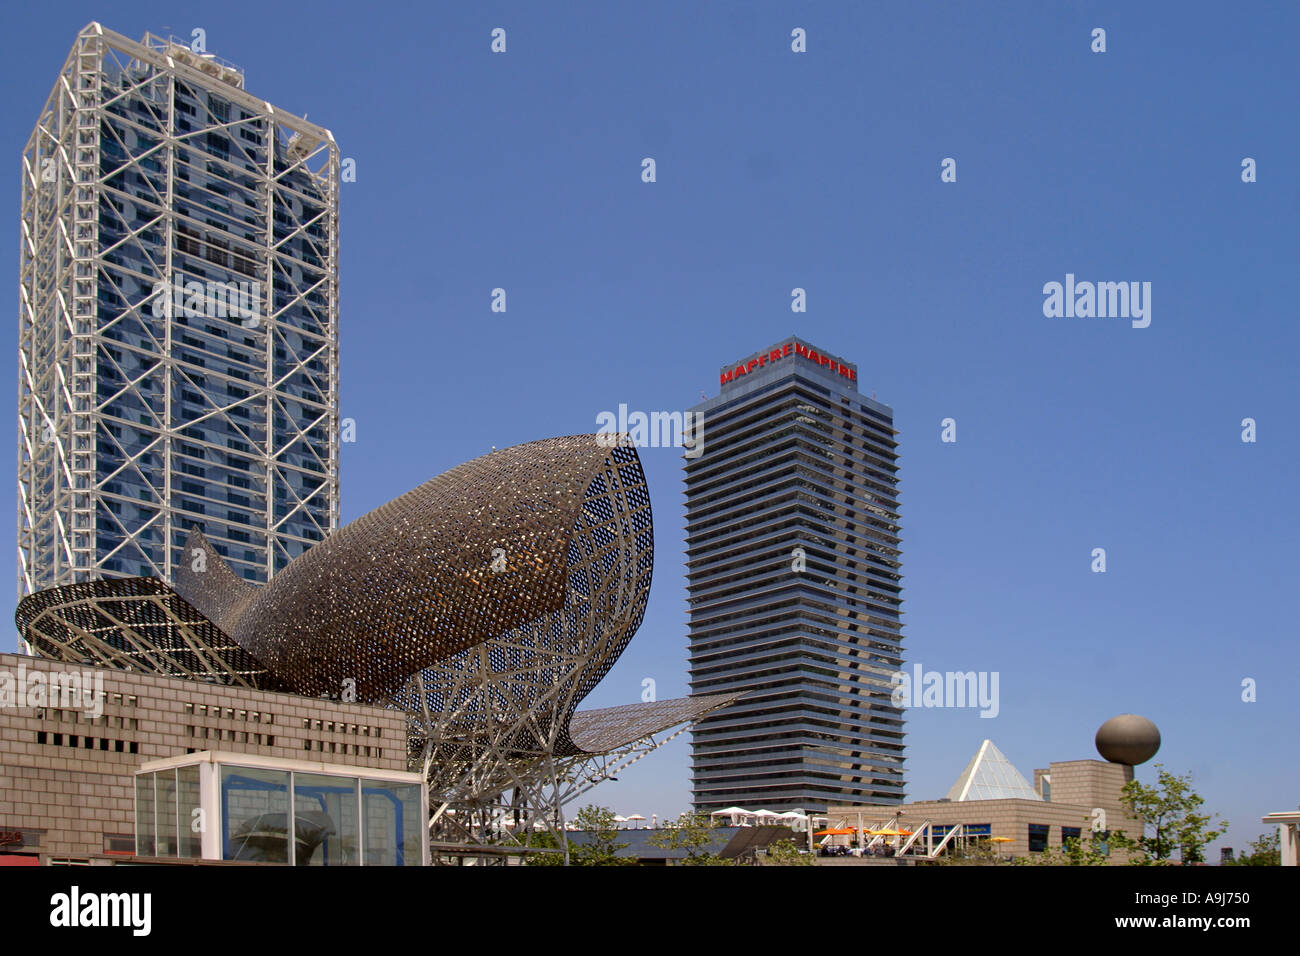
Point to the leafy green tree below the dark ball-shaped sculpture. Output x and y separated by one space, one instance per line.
1169 811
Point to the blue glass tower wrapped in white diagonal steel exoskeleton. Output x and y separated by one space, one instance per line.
179 321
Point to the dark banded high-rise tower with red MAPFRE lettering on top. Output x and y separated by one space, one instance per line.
795 586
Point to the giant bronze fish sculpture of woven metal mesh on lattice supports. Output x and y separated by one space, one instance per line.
487 604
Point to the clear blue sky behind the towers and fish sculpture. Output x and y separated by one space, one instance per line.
822 171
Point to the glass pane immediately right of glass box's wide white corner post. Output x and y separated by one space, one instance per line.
254 815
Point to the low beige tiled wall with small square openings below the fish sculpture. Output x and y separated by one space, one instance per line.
67 778
